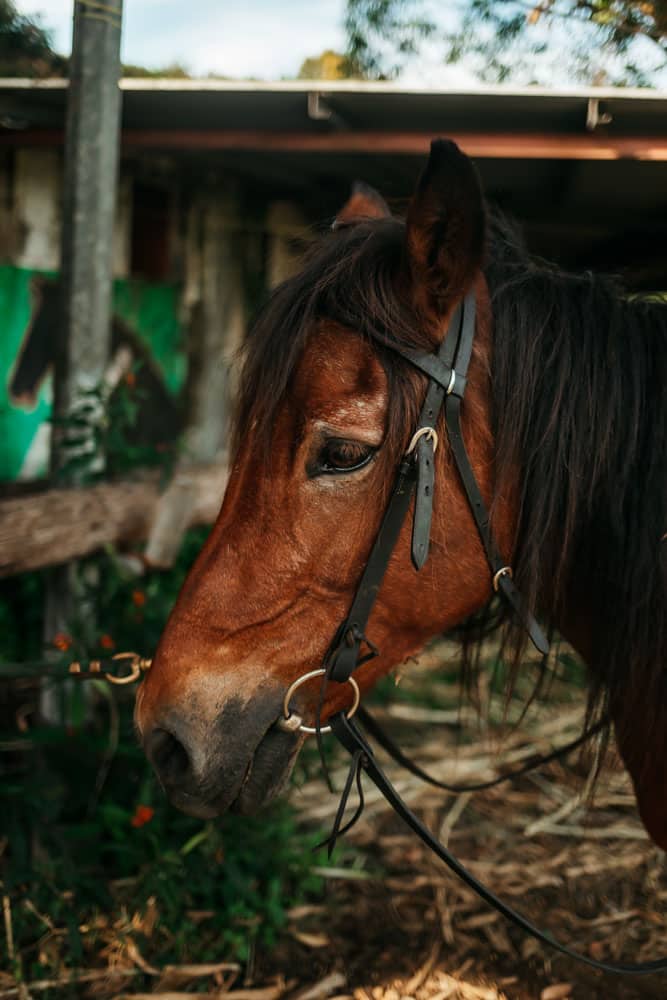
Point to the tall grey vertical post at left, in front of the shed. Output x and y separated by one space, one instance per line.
89 192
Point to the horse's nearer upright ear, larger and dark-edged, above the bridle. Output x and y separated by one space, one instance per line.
445 228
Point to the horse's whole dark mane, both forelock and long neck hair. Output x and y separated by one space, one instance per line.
580 420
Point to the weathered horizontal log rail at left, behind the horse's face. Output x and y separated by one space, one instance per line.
57 525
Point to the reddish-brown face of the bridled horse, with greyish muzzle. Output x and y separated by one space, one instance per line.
278 573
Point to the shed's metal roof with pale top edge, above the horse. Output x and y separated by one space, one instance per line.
340 115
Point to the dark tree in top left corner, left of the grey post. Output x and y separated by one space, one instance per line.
25 47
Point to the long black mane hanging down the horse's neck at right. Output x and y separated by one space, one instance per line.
578 380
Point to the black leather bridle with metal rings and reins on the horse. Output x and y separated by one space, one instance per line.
446 370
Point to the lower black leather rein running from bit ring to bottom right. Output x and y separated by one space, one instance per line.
350 737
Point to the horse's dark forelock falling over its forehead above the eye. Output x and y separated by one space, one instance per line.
353 277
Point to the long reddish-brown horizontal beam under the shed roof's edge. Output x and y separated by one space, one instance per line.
484 145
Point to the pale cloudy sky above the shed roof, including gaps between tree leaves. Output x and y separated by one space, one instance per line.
269 39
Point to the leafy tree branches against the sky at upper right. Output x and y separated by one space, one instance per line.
620 41
